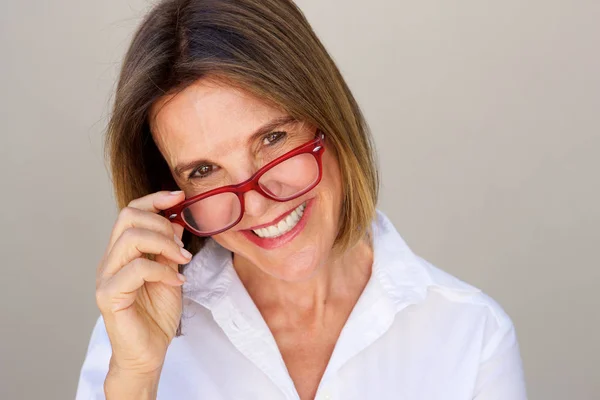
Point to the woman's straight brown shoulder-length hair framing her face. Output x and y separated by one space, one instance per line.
266 47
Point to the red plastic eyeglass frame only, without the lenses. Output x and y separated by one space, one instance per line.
316 147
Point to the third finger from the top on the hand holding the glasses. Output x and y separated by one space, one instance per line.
135 242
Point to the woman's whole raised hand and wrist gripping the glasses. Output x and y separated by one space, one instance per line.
140 299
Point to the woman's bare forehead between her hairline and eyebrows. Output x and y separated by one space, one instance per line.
208 117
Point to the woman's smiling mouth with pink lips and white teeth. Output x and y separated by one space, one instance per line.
281 230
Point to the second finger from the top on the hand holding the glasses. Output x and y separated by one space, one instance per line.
131 217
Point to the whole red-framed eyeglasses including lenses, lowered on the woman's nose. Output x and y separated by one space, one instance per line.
287 177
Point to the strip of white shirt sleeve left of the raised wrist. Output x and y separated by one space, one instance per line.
95 366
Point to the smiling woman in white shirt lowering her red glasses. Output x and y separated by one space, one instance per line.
234 135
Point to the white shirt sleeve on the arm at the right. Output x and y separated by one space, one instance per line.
500 375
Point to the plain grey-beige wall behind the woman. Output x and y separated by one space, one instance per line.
485 116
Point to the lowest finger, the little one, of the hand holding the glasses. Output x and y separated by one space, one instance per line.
119 291
